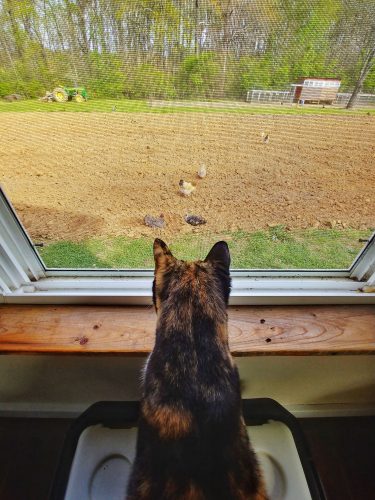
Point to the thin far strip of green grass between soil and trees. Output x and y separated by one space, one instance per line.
137 106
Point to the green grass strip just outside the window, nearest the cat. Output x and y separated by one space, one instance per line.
275 248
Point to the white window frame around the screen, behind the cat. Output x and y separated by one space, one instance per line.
25 280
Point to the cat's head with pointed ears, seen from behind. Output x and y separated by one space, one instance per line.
203 283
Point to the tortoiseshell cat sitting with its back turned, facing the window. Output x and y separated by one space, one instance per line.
192 440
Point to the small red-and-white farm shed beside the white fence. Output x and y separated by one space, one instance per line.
316 90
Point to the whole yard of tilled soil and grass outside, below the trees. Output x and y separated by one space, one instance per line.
82 182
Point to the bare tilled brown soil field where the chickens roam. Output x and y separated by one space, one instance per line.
78 175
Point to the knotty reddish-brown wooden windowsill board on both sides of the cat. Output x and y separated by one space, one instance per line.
253 330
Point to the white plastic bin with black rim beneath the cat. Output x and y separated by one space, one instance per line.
100 448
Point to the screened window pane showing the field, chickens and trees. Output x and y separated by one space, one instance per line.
107 106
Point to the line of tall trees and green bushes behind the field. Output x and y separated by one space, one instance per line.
186 48
